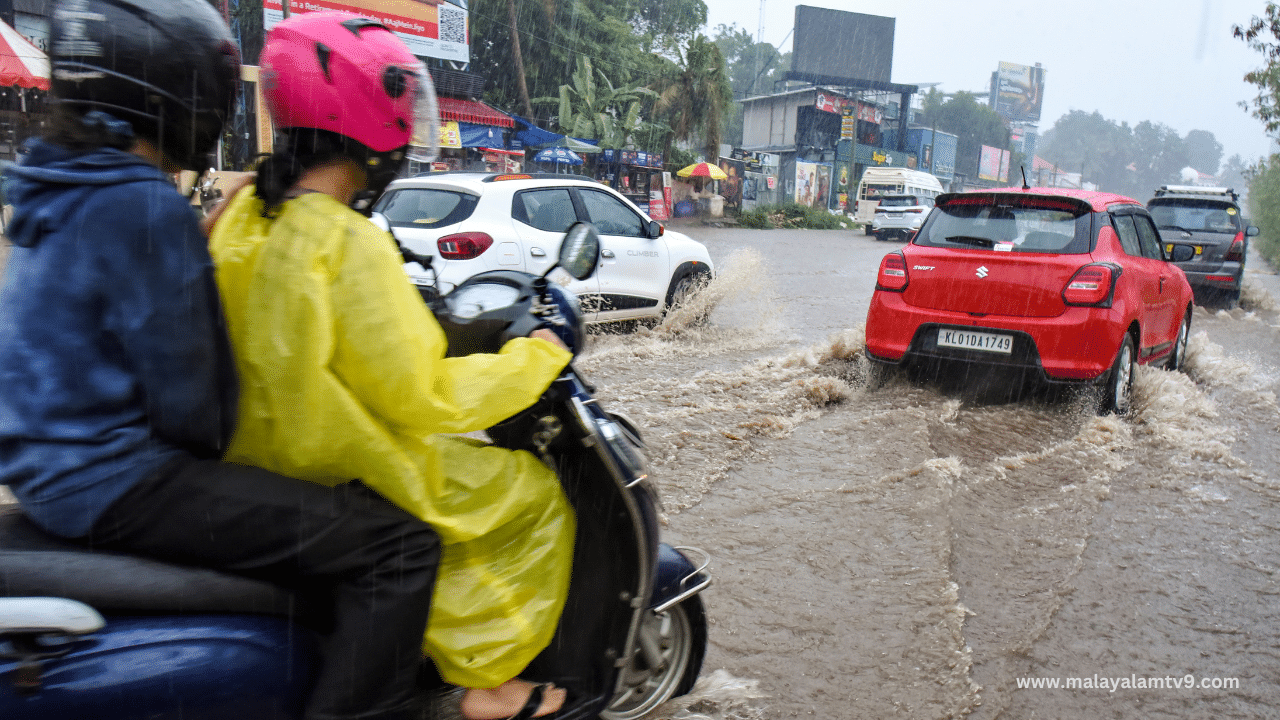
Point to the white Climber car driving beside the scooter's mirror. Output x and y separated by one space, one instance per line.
470 224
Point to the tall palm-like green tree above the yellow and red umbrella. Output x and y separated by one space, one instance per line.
694 97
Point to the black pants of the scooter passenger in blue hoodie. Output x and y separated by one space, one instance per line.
374 562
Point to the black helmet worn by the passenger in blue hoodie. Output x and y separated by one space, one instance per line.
168 67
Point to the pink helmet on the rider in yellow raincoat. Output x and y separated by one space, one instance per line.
349 75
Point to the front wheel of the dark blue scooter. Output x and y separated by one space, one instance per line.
679 637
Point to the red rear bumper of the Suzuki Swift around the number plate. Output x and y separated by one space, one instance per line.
1078 345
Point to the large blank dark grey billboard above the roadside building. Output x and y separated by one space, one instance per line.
843 44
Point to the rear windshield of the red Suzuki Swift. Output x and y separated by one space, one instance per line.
1021 226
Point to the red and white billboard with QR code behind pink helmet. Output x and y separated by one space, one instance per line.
432 29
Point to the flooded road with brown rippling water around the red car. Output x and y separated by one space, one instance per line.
907 553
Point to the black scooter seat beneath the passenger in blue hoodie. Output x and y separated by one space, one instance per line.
35 564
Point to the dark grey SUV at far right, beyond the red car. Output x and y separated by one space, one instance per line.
1210 222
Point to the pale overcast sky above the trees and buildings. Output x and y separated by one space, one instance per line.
1172 62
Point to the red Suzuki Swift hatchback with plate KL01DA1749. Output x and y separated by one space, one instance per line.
1071 286
